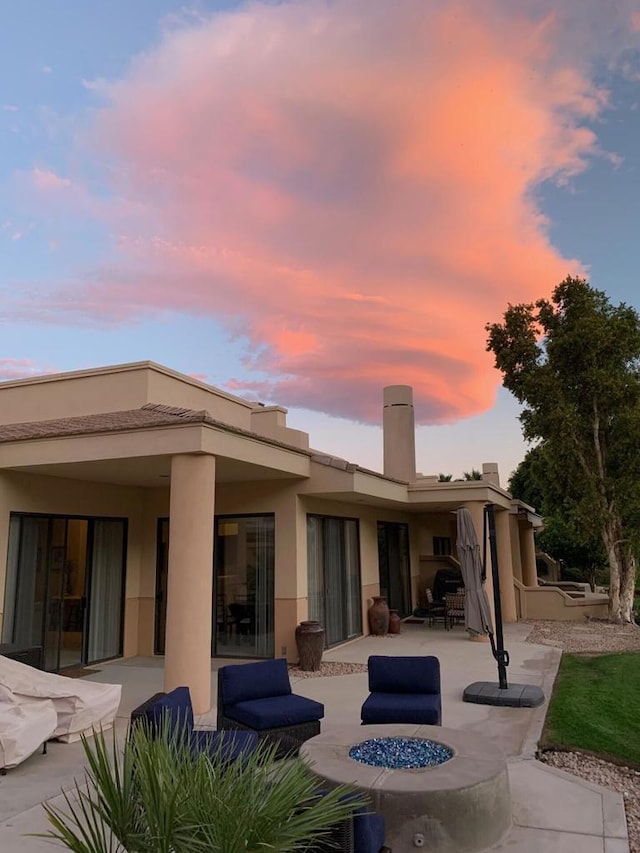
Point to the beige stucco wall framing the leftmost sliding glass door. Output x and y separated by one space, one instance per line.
30 493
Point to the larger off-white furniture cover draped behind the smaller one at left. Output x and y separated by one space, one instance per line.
80 706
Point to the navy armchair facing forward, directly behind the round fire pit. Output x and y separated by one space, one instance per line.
403 690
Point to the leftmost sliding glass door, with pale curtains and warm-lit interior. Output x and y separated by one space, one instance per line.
64 588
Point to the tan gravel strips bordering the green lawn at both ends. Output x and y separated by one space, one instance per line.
596 637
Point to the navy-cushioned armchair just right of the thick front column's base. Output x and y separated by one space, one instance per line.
257 697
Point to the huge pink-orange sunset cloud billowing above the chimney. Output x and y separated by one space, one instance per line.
350 185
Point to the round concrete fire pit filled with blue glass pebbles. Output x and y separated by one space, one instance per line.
461 804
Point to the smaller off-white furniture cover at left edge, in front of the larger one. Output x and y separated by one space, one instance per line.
24 728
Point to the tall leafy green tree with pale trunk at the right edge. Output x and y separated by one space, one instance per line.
573 361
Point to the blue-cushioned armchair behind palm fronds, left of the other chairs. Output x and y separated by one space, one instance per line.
175 711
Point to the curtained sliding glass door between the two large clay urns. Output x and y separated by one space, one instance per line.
333 574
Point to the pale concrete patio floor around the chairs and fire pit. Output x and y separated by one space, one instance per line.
552 810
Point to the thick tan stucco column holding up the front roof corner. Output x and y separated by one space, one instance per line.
190 580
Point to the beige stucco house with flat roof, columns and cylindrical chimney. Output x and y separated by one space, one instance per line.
144 512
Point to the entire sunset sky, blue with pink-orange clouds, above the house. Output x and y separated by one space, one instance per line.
301 202
